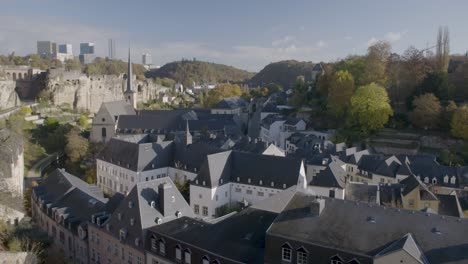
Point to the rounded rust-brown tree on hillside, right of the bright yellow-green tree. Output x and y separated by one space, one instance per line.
427 111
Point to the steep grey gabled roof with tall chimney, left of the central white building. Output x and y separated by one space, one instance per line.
137 205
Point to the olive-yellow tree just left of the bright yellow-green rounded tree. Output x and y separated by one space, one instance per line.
339 93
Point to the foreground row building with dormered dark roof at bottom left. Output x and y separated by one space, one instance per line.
61 205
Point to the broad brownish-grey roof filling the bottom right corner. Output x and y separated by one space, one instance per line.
344 225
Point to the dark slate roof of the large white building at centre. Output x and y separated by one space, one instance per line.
229 166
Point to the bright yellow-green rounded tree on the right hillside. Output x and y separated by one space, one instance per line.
370 107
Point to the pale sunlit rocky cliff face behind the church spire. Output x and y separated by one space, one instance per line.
89 92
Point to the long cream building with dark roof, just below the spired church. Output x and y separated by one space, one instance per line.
127 160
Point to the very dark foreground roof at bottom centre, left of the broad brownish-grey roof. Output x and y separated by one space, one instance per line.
239 238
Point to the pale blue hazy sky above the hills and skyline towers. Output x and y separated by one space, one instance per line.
247 34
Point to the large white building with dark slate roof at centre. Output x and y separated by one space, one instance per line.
231 177
